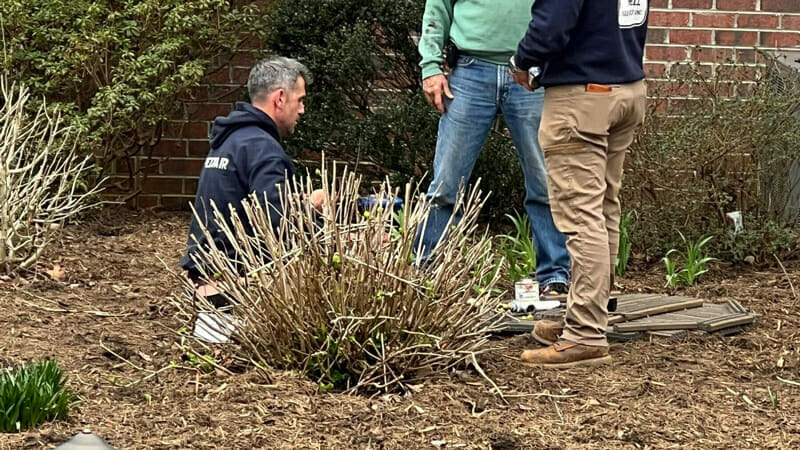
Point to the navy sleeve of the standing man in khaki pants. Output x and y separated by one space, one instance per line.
552 22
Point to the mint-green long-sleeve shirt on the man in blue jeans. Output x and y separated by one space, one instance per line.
485 29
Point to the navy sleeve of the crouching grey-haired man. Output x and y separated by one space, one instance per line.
267 177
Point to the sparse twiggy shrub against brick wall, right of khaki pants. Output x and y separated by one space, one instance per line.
731 146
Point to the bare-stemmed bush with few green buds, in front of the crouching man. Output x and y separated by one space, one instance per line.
345 302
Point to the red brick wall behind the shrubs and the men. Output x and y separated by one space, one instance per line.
705 31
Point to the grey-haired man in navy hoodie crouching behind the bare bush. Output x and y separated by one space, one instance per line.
246 154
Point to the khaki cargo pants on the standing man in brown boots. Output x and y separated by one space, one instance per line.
584 135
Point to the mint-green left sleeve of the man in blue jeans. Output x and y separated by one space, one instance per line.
435 32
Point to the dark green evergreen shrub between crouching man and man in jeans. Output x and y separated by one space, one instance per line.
366 102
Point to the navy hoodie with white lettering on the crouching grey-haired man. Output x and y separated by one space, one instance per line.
246 156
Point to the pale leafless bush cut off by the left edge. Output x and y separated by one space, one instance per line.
41 179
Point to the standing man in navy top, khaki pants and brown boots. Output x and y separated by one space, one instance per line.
588 56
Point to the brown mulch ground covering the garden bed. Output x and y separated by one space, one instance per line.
112 313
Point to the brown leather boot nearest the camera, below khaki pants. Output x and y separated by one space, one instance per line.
565 354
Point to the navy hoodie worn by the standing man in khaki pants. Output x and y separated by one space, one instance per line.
585 41
